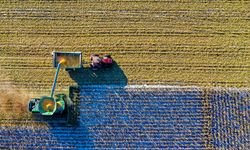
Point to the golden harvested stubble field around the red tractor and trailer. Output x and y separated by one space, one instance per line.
204 43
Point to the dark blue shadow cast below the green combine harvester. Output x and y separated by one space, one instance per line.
59 135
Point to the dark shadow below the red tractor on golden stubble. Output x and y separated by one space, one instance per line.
104 76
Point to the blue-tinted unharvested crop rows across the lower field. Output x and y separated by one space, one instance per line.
170 117
